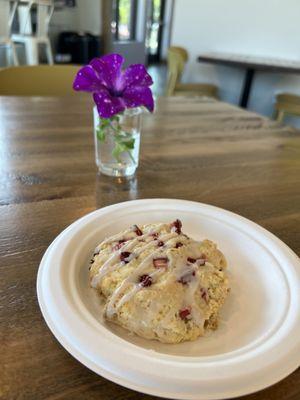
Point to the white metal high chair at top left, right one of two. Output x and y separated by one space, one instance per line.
25 36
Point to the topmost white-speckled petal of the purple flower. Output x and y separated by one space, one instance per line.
108 69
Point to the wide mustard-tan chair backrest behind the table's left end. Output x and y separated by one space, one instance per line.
38 80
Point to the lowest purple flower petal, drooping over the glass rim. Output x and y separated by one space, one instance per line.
107 105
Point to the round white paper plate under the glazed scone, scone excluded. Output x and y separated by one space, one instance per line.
258 340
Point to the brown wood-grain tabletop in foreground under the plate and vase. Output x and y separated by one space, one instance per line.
192 149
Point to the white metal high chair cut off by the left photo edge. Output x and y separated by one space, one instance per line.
7 13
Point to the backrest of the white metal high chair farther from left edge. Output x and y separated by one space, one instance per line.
44 9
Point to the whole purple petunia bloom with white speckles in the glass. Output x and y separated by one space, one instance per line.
115 90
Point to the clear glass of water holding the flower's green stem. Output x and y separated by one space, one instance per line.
117 142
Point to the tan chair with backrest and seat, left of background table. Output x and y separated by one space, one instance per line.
177 58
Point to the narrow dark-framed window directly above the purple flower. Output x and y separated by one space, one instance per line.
124 19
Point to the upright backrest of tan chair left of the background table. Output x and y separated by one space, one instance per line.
177 58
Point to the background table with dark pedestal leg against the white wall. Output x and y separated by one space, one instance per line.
251 64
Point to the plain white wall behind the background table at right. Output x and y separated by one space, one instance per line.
268 28
